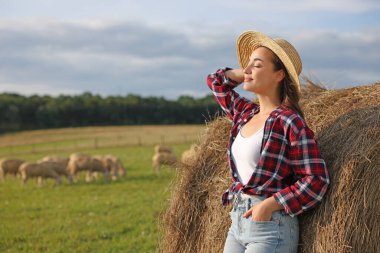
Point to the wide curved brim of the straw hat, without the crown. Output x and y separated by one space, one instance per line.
250 40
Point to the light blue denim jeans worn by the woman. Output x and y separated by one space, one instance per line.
279 235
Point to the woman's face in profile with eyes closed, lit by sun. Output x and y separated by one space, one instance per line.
259 75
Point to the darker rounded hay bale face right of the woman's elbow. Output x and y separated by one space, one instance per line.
348 218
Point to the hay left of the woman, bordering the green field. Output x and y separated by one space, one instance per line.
192 222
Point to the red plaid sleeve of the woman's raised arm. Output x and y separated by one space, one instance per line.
222 88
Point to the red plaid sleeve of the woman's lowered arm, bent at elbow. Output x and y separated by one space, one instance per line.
309 169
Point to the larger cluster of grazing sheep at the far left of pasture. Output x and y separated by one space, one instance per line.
55 167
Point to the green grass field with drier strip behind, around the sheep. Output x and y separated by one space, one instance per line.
120 216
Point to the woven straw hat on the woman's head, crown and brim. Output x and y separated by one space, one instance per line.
250 40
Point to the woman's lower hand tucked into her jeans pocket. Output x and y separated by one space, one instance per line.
263 211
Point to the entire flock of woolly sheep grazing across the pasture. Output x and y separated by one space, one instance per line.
109 165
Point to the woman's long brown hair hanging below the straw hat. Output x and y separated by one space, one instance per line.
289 94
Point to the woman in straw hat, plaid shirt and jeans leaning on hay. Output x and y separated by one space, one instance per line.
274 160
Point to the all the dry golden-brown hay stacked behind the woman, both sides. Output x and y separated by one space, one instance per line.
196 222
